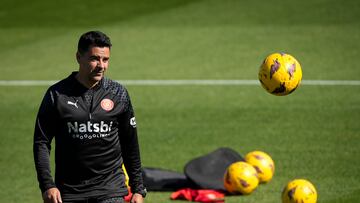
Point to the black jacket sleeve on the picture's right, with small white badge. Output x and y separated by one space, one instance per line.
130 148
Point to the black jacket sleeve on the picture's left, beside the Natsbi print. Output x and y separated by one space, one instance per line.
44 132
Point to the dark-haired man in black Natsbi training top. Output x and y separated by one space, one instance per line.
92 120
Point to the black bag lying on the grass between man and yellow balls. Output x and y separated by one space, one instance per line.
204 172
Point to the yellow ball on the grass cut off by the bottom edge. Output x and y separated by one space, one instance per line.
299 190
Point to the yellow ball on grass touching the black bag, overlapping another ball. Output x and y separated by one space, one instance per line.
240 178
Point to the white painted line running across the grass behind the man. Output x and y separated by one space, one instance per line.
183 82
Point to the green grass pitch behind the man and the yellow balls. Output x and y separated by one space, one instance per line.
313 133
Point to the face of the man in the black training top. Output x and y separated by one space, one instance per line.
93 63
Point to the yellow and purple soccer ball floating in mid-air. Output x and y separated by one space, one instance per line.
280 74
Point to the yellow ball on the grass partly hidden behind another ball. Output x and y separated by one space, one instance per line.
263 164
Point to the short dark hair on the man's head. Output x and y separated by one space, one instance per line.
93 38
